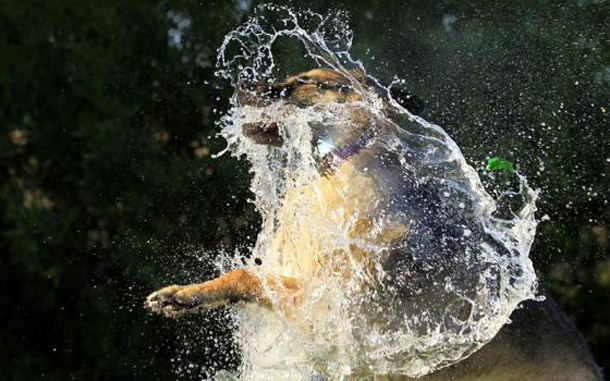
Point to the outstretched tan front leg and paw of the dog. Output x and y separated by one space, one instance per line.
235 286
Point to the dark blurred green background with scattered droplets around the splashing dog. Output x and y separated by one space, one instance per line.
108 188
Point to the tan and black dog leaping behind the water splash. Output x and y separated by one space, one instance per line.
540 343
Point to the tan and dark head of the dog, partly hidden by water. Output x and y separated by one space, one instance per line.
317 86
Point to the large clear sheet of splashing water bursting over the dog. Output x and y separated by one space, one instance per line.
407 264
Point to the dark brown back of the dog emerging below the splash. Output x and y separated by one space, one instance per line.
540 344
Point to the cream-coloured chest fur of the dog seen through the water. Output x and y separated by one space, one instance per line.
324 217
